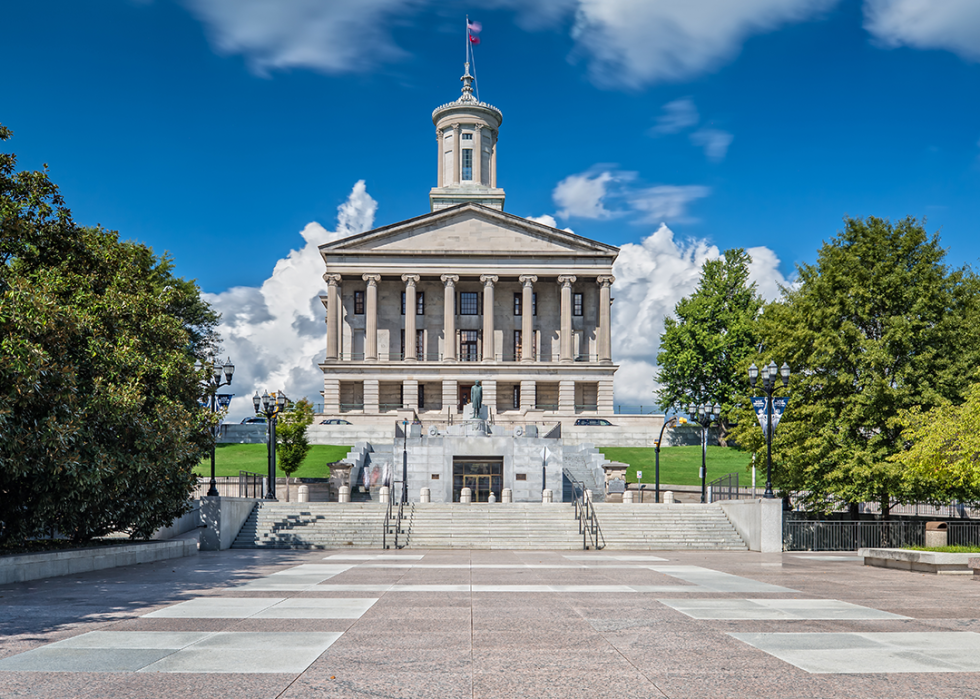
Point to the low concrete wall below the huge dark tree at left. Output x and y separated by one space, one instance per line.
34 566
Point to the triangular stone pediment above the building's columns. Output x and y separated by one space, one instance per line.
469 229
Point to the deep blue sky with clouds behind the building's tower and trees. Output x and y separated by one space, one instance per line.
218 129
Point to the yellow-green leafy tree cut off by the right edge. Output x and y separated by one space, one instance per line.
942 463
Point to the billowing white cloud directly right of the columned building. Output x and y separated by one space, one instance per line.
651 277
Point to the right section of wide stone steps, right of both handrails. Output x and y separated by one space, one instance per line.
667 527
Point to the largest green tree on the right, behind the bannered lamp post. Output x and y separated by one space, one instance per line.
878 326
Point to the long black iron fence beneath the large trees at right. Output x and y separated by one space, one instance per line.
808 535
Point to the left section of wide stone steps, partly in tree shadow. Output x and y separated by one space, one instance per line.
313 525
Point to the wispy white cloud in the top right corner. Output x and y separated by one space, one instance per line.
951 25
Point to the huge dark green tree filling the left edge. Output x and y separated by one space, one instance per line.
100 425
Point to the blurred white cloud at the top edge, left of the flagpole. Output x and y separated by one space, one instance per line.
330 36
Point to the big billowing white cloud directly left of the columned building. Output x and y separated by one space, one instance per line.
275 333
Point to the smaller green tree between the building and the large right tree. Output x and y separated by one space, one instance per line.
701 350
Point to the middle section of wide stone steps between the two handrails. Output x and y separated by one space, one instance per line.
484 526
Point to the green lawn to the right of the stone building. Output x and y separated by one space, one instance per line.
680 465
